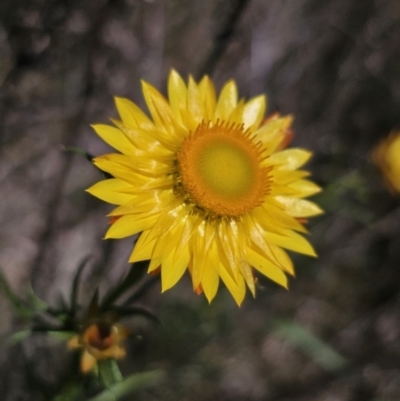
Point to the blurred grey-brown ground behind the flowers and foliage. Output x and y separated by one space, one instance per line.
334 64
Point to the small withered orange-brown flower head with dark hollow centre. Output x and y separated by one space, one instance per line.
99 340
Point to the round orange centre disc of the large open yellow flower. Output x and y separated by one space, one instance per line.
220 168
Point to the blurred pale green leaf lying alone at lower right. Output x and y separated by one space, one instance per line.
319 351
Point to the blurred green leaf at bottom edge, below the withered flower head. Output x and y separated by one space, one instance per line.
137 381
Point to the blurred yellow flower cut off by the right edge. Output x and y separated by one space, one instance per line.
387 157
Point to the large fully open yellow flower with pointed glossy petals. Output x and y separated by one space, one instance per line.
207 185
